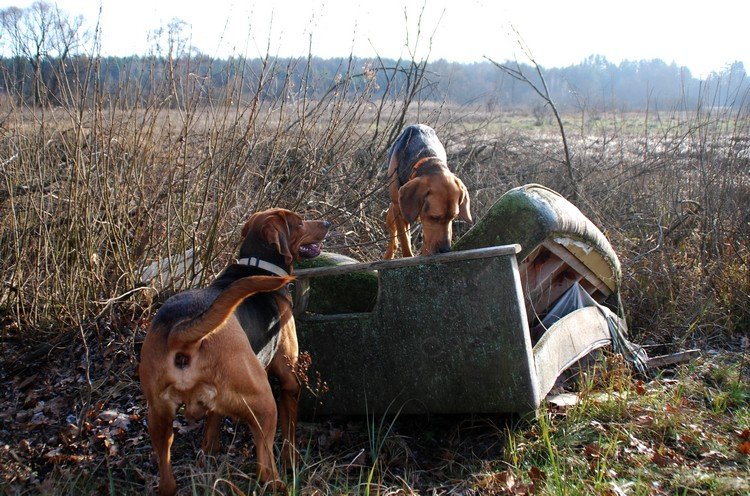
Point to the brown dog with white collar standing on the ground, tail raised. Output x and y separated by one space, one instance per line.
209 349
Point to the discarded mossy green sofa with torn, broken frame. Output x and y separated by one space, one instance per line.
529 290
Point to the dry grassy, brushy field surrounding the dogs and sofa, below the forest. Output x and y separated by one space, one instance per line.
93 192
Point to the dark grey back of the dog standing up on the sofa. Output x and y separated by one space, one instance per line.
415 142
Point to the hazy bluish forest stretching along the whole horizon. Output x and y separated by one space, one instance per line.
594 84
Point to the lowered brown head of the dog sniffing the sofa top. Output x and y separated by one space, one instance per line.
436 199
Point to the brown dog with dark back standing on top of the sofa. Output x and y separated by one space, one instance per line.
421 186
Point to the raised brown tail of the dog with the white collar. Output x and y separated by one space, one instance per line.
198 327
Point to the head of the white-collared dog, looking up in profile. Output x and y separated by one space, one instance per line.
285 233
